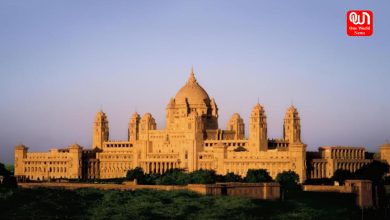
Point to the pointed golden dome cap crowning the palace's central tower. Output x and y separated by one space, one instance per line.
193 92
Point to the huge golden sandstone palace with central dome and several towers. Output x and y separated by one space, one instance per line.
191 140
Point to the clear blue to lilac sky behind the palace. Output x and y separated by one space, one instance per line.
62 61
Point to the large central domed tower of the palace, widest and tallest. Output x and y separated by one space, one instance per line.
192 98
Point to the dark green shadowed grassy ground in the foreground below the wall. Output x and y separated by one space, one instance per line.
43 203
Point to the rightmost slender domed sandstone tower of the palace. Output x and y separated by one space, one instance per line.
292 126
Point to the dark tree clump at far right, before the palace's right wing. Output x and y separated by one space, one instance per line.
374 171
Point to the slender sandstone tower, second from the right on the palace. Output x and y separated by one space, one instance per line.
258 129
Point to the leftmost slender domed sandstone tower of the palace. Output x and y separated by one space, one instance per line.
100 130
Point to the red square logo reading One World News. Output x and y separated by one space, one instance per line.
360 23
